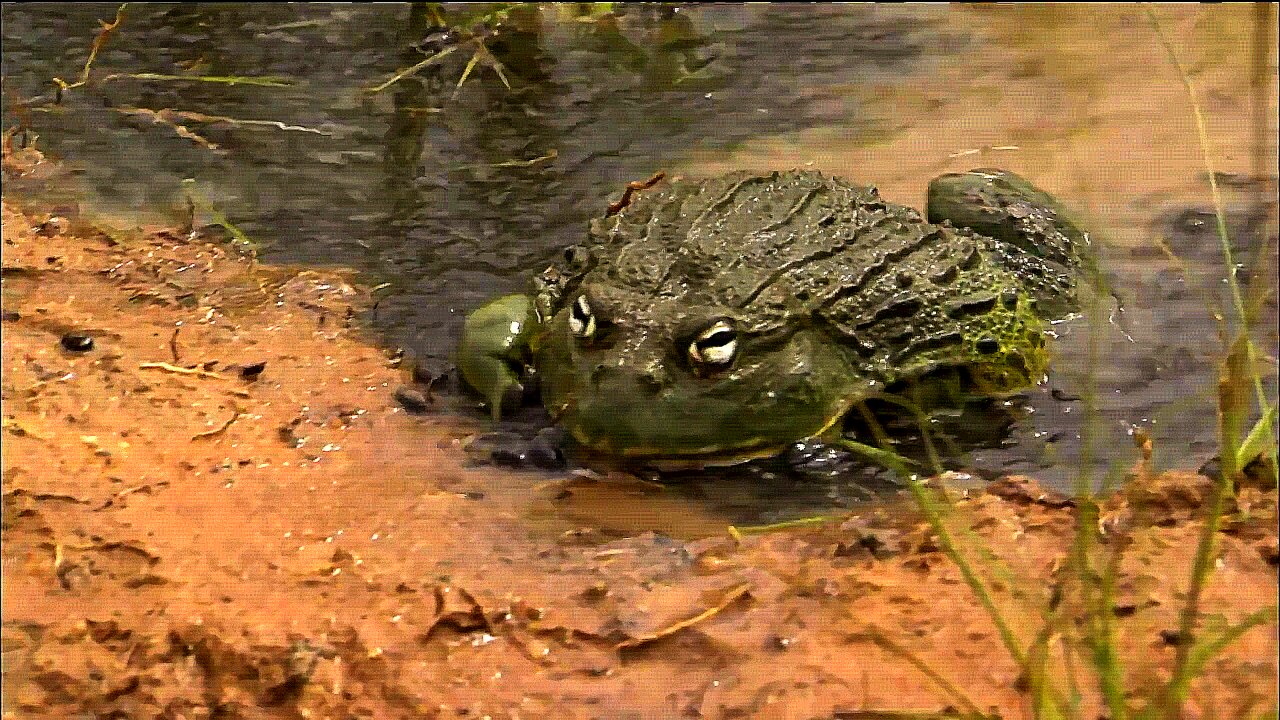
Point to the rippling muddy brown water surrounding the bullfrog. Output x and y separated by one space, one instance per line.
452 197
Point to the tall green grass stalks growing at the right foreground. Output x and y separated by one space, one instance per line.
1053 686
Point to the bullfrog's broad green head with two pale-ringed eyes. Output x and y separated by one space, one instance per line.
660 379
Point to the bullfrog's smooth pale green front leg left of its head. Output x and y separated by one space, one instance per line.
495 343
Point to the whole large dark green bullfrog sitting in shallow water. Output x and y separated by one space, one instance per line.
716 321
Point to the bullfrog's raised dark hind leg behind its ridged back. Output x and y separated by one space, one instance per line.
1007 207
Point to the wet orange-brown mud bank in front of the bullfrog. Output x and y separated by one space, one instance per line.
221 511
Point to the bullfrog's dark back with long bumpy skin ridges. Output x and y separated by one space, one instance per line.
902 294
